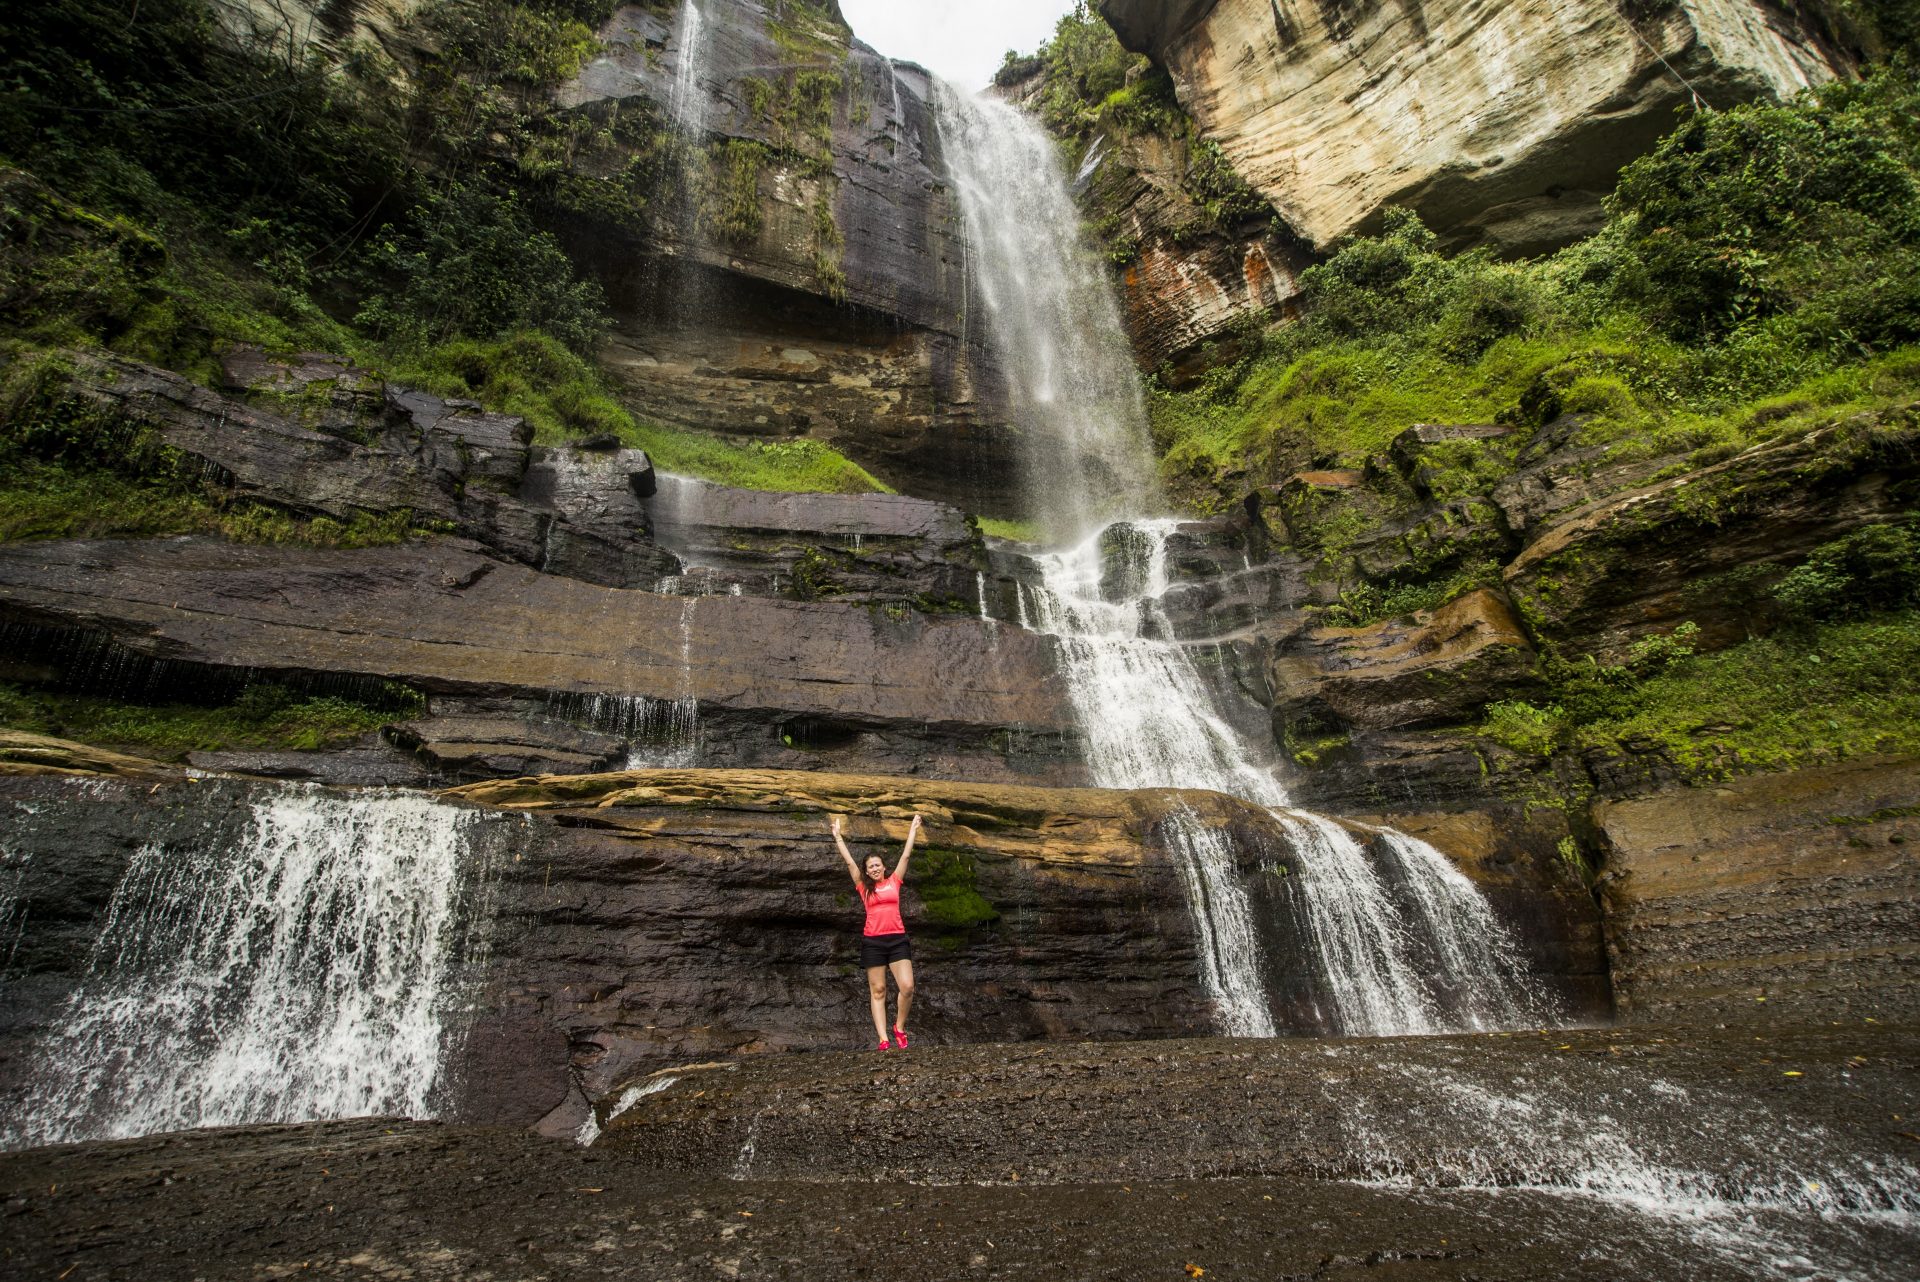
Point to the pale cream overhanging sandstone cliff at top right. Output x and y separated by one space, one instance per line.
1497 122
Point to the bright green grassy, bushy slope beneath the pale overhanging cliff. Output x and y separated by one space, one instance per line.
1760 273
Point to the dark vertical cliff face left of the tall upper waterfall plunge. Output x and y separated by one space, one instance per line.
811 281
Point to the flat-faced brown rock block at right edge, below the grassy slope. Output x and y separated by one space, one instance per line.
1765 899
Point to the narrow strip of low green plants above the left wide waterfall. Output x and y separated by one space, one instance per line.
264 719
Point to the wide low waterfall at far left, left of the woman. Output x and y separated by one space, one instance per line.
297 974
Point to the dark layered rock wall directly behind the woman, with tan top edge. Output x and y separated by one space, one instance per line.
642 920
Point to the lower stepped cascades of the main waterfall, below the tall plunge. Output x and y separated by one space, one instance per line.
1412 951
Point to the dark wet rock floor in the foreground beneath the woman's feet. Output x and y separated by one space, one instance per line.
391 1199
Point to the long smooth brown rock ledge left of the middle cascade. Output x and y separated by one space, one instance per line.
915 694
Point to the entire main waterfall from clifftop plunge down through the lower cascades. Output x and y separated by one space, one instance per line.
1422 955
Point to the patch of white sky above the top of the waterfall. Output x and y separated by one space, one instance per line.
961 39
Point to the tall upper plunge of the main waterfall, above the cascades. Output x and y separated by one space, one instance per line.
1053 320
